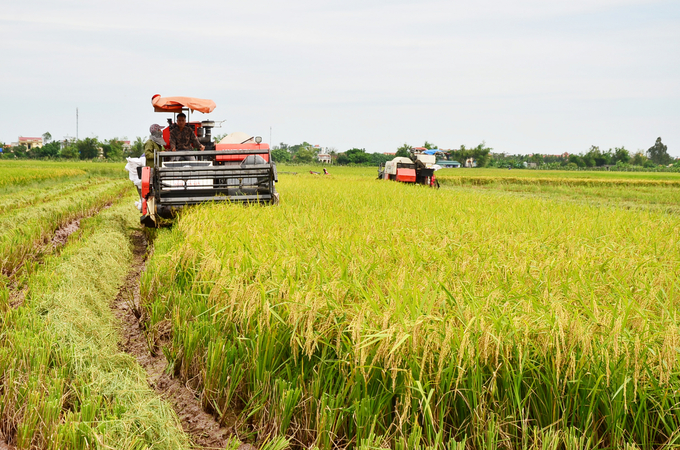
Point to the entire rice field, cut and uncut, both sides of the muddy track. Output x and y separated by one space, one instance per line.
508 309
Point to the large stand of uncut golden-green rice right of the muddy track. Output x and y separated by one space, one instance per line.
368 312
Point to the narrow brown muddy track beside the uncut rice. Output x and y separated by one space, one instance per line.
205 432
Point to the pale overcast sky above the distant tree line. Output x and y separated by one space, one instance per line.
524 75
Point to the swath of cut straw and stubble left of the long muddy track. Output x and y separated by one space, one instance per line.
65 385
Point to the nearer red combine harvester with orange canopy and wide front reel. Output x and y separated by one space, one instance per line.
233 172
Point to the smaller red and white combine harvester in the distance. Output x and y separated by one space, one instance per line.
418 168
